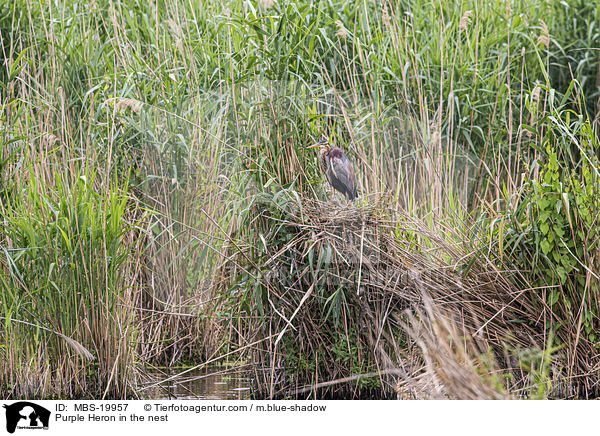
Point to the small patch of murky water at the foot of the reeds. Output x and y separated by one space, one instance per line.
208 383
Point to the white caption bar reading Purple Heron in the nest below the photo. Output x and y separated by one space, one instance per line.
150 417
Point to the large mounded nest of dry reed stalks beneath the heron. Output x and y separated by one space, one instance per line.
342 298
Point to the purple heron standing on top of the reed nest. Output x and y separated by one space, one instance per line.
337 168
